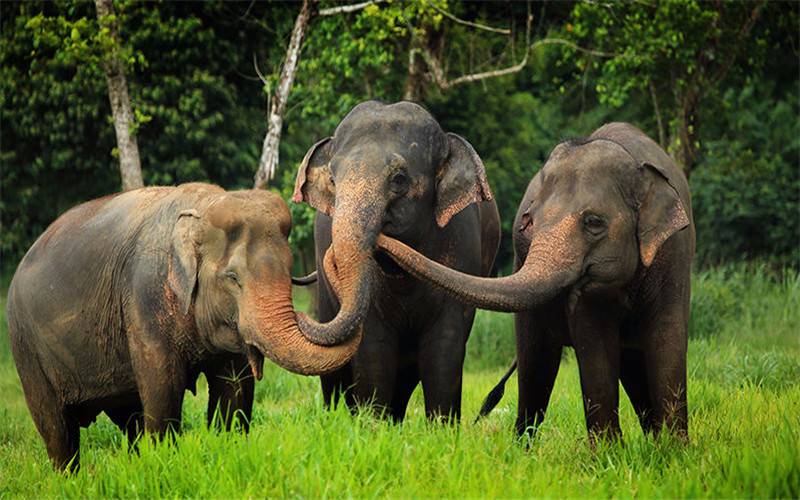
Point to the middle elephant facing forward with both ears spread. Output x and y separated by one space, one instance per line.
391 168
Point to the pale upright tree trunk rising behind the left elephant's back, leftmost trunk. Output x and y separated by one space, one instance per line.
129 164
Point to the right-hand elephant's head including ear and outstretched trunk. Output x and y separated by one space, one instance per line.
598 209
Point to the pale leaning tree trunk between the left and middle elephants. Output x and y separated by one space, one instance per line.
268 162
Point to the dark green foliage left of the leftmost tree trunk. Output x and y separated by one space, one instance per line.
54 120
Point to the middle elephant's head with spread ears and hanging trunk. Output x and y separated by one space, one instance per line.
391 169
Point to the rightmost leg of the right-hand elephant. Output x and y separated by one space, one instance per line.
666 341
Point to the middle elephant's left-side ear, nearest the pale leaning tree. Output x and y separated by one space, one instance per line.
314 183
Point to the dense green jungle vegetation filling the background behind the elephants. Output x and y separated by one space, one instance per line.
715 83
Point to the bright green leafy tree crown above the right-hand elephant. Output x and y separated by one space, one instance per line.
676 51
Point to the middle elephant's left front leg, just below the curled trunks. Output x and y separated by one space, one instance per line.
375 367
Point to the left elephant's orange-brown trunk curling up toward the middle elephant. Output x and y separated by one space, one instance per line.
275 329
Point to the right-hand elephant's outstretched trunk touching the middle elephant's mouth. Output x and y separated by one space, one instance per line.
552 264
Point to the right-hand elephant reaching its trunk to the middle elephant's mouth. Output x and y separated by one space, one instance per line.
603 242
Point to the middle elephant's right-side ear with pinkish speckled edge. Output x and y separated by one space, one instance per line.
460 180
